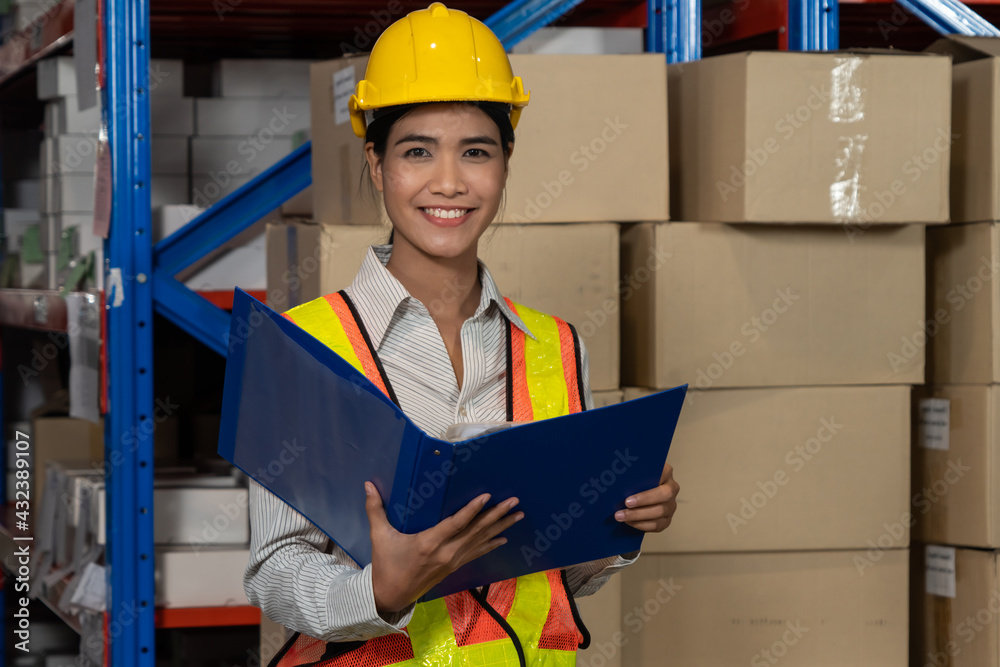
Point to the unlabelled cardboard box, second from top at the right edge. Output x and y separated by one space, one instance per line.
963 323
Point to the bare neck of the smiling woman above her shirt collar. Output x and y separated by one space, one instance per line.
448 286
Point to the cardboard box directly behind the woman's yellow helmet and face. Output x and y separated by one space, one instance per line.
567 166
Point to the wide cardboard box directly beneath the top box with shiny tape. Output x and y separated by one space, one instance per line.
756 306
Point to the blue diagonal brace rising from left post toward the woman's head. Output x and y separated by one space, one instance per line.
227 218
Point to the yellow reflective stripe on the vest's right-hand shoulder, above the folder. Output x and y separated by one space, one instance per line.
543 365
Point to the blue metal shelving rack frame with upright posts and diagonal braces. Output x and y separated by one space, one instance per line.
147 273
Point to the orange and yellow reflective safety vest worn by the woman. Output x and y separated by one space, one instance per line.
531 620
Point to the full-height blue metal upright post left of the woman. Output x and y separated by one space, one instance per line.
129 298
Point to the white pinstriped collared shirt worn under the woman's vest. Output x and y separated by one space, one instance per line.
290 576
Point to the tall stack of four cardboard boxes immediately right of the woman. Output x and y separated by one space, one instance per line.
793 324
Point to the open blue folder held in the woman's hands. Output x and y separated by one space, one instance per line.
307 426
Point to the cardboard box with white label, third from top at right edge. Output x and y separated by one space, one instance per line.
956 465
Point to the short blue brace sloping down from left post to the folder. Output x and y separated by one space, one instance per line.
190 311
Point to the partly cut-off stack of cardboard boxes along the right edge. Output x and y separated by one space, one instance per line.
956 592
